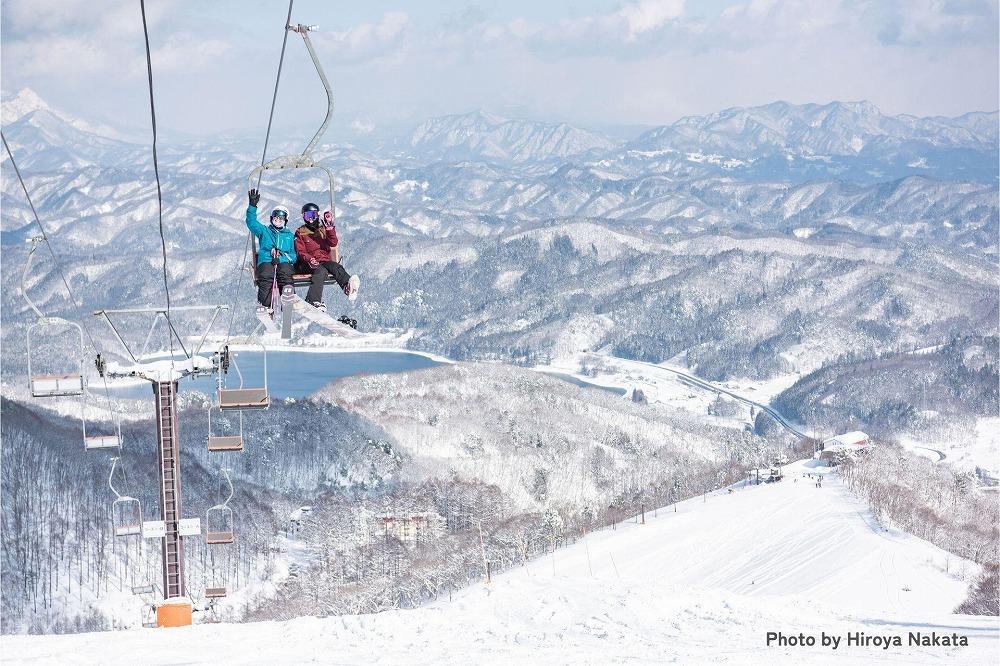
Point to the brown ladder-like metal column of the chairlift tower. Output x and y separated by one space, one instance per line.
173 575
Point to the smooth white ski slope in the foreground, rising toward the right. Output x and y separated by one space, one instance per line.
703 584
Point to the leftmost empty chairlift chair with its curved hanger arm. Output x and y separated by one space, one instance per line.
57 382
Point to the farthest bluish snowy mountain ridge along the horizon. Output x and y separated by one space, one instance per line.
780 141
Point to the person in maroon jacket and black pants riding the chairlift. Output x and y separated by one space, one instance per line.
316 246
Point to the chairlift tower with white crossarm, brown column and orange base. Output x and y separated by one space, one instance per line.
164 376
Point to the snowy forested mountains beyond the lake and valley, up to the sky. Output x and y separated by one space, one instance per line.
527 231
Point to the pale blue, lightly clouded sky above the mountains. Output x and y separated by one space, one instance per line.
594 63
